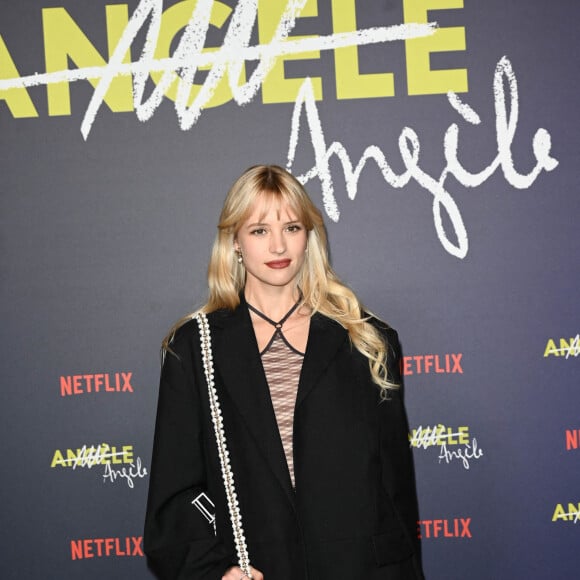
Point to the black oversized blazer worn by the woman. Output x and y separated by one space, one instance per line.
352 514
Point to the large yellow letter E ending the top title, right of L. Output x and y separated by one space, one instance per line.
421 80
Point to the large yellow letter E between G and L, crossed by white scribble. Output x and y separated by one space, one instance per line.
276 88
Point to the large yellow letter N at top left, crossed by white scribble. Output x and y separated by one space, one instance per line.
63 39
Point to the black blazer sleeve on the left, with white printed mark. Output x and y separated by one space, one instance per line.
178 540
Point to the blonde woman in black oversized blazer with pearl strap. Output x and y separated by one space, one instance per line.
315 425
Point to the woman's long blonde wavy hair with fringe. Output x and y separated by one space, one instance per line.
322 291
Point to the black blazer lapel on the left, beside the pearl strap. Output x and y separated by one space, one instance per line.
238 362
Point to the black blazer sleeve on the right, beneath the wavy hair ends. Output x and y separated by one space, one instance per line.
396 457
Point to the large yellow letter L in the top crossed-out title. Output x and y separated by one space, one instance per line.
350 84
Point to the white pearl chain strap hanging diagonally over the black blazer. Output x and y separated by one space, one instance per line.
227 473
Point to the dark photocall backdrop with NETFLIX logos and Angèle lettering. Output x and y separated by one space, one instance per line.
440 139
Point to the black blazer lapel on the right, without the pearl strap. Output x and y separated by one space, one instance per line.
324 339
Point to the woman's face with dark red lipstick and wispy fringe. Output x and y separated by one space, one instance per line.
273 244
